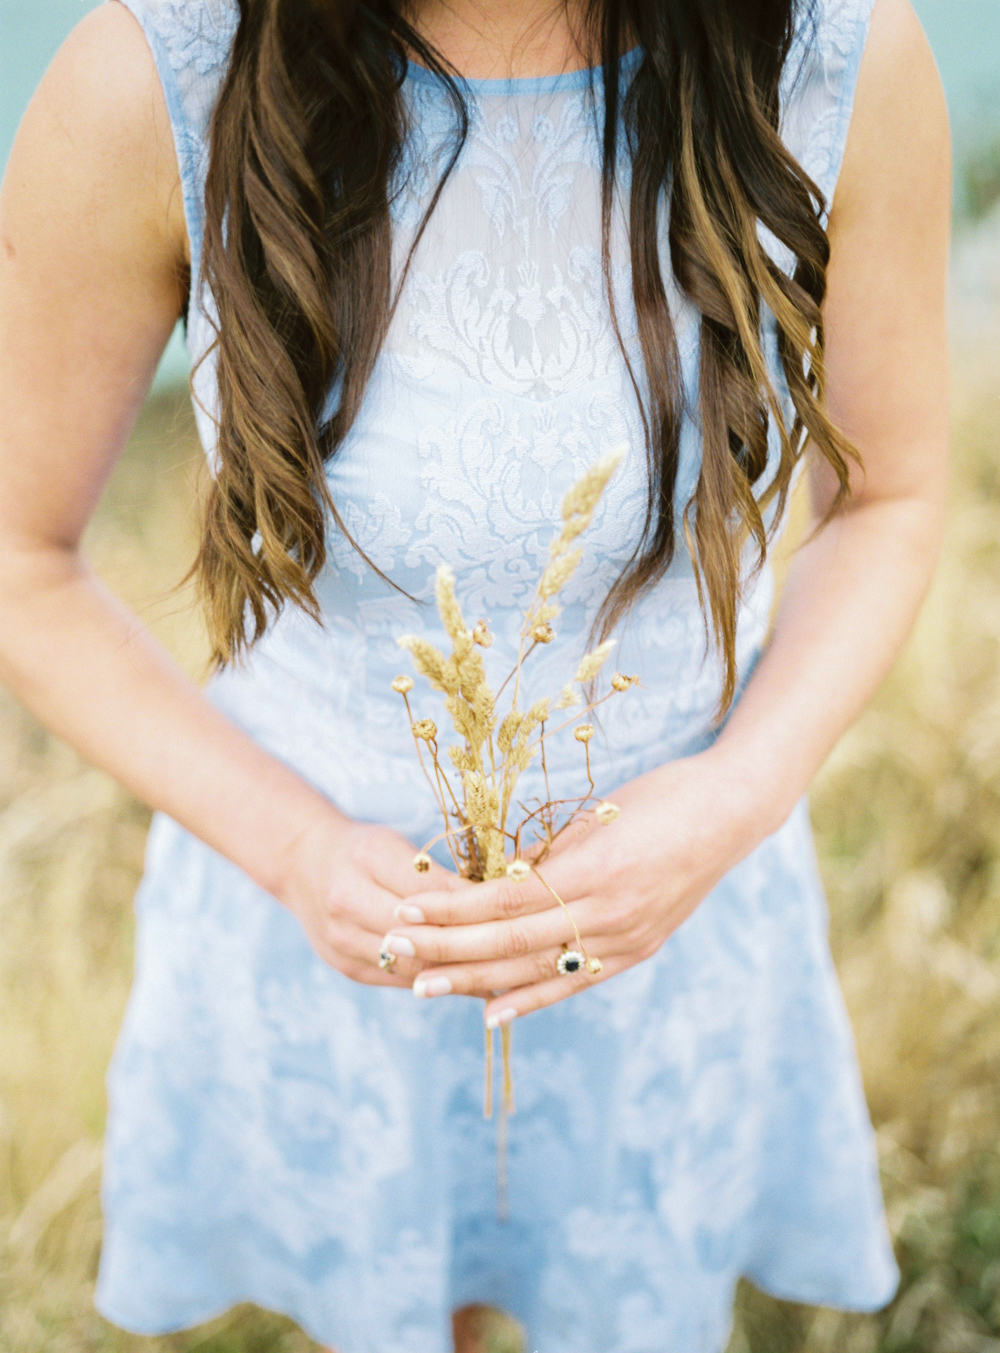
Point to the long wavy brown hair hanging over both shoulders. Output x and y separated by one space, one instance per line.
306 141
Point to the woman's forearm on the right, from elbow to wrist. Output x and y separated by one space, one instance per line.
848 607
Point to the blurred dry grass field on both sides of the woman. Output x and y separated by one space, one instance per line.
909 827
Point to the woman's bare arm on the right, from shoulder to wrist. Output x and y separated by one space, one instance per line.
856 587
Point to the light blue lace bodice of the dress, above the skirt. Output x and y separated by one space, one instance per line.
500 382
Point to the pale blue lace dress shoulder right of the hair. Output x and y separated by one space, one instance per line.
821 81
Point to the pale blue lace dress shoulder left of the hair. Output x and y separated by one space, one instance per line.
190 41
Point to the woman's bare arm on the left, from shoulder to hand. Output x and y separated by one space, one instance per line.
93 265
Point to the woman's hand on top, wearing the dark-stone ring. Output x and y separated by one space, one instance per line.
629 887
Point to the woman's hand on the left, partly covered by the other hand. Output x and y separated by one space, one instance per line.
347 884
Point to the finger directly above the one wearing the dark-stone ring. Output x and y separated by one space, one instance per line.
496 940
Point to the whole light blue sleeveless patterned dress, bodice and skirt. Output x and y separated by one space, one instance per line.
282 1136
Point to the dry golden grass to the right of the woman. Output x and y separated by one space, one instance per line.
907 815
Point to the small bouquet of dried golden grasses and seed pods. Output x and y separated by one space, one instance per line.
476 785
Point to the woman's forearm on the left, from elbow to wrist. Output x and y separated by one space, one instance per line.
87 668
